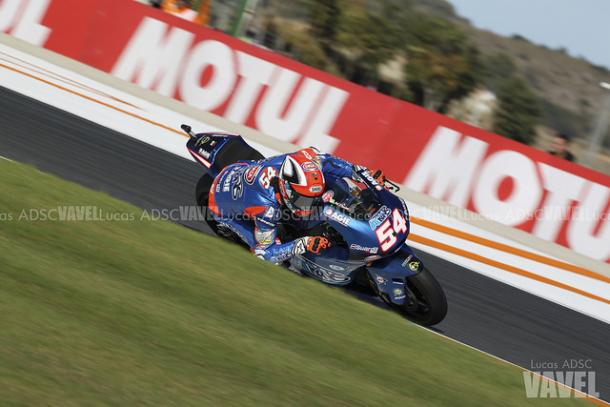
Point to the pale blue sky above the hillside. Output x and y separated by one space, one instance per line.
581 26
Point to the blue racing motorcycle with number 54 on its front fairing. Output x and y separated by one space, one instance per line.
366 223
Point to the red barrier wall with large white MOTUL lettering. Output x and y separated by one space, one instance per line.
466 166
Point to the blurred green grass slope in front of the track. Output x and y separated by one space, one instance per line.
150 313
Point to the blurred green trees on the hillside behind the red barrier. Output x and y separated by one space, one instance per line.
354 40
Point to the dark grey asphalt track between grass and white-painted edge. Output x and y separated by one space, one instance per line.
483 312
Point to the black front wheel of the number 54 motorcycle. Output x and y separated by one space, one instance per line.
426 302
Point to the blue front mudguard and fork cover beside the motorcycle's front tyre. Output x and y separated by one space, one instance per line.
389 275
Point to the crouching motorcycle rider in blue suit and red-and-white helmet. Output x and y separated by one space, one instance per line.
248 198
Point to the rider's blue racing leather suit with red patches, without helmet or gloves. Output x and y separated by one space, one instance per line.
244 200
